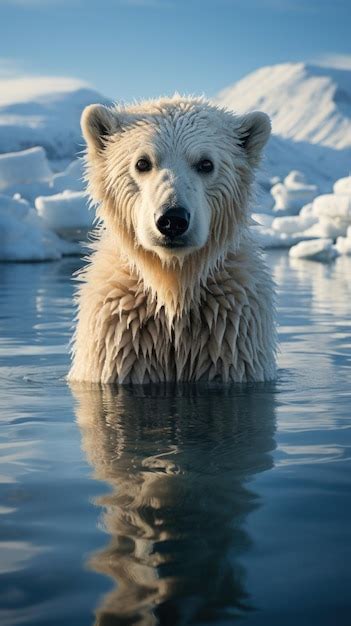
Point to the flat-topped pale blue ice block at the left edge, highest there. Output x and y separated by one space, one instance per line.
27 166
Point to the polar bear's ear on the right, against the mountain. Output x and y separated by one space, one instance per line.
254 131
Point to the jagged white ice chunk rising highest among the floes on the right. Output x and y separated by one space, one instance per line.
293 193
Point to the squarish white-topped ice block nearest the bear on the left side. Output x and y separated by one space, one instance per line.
65 211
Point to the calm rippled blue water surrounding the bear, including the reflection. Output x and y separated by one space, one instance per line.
182 505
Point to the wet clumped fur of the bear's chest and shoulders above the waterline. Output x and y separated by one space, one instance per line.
125 336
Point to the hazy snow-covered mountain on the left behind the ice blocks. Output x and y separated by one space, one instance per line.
44 112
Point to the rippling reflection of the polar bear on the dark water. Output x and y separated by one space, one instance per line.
179 462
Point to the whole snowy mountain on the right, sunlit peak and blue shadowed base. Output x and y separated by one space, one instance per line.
310 109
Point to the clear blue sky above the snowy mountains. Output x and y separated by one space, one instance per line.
138 48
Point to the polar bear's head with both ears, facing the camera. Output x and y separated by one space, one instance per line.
173 175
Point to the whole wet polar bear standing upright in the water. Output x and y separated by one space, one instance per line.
175 288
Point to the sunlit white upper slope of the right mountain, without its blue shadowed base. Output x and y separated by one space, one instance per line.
305 102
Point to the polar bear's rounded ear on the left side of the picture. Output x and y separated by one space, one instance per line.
97 123
